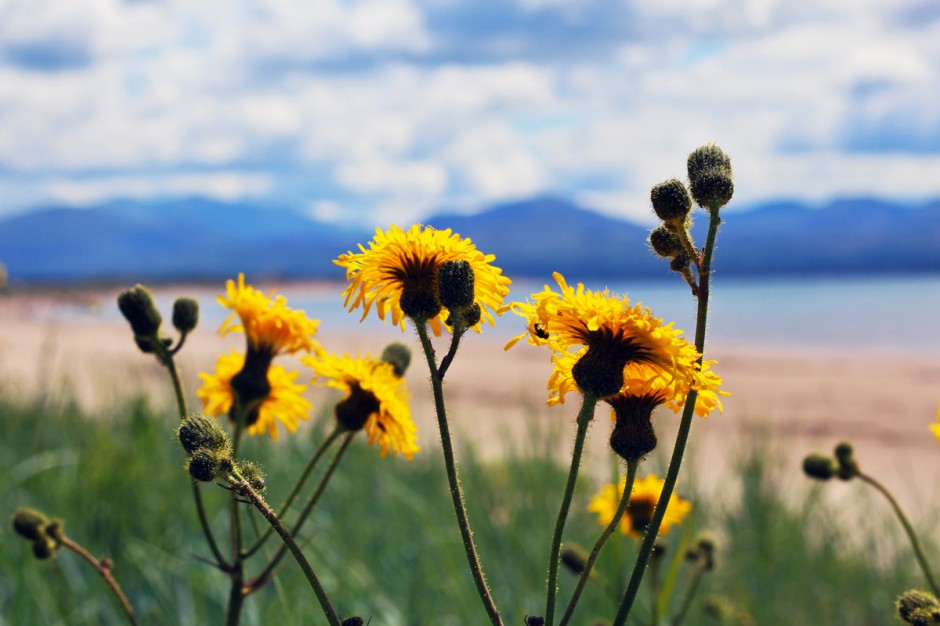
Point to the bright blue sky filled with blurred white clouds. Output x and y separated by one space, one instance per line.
393 110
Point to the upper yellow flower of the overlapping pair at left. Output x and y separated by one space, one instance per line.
270 326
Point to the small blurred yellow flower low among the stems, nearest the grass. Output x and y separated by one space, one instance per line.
639 513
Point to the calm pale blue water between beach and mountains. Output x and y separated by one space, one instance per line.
901 313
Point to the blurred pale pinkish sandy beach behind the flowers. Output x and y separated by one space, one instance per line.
796 400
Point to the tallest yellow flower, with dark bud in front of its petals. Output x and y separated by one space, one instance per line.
403 265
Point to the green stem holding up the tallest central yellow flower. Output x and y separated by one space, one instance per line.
456 496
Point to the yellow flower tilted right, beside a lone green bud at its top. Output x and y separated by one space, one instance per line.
374 399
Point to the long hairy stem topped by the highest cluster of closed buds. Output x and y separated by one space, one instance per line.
682 437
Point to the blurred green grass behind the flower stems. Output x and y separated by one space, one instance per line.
384 539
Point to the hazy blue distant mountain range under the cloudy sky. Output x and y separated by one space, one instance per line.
197 239
